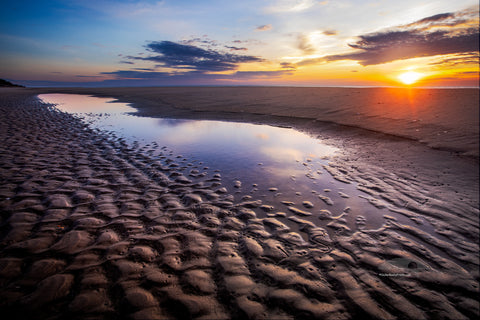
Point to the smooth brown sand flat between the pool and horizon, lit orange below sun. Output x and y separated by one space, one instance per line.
440 118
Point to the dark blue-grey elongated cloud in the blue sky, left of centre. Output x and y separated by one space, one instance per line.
184 56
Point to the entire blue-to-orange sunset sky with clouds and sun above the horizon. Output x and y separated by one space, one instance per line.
247 42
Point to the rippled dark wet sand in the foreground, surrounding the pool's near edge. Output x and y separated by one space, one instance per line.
93 228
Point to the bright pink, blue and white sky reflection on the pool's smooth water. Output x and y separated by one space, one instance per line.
236 149
